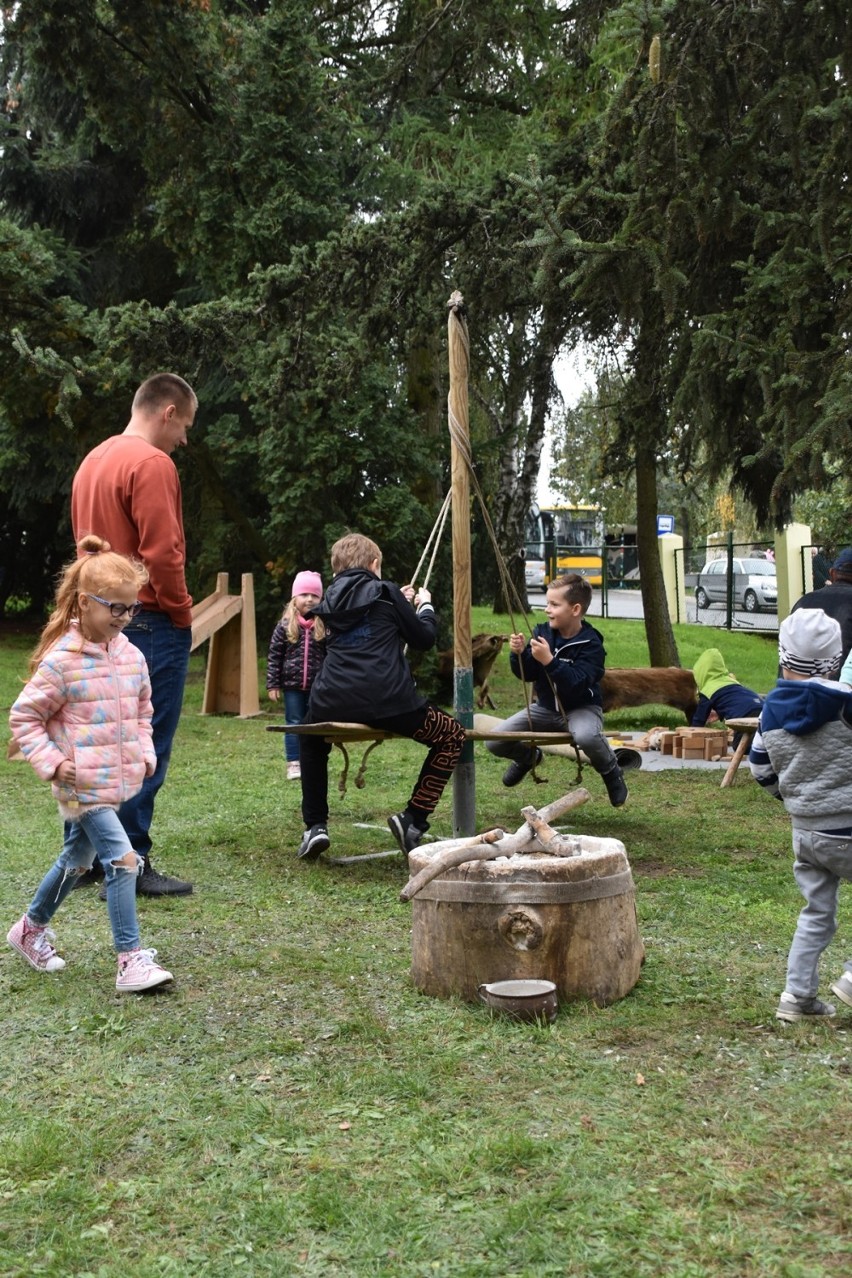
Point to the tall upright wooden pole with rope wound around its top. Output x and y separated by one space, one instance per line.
464 785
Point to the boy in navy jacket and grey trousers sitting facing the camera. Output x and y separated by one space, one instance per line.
565 661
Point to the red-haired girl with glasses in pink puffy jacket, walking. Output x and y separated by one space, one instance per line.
84 721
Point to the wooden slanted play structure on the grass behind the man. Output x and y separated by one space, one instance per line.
228 622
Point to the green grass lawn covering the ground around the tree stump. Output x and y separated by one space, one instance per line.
294 1106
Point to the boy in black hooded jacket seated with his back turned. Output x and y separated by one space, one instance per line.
367 679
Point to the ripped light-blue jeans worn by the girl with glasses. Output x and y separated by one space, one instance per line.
98 834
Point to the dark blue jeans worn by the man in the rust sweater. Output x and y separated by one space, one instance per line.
165 649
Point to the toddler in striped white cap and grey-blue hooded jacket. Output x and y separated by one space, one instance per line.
802 755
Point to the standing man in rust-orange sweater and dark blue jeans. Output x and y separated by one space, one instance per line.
127 490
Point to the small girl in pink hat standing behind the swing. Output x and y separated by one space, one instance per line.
297 652
